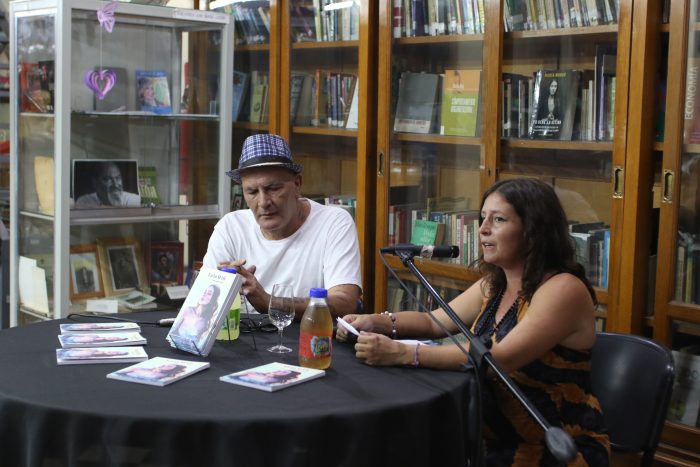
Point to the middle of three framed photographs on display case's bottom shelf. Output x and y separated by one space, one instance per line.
121 263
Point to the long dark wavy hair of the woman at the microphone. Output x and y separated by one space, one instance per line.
548 247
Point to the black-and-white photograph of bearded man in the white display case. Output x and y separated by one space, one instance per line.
105 183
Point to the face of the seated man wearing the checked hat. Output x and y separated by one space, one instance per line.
271 194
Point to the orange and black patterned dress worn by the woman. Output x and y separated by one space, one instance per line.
558 384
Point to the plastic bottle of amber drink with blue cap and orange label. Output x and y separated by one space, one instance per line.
316 332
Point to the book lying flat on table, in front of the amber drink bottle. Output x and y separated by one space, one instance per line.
273 376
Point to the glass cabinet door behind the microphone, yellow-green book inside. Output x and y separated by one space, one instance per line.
431 142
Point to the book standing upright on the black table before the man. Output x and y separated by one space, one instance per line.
204 310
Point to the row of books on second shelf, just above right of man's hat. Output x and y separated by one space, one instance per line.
324 98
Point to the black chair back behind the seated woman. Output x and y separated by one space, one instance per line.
632 377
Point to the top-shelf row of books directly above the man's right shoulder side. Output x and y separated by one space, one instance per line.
325 20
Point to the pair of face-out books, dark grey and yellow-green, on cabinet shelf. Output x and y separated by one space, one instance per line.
446 103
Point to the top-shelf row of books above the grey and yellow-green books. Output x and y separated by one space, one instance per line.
413 18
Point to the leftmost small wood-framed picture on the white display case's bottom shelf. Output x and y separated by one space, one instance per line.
86 281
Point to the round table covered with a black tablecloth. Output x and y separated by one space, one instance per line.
356 415
